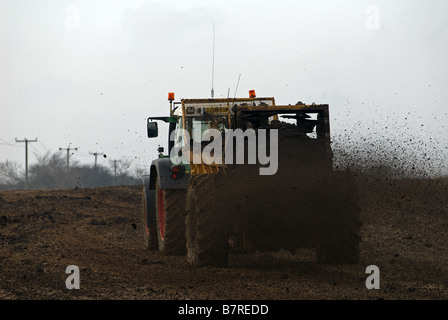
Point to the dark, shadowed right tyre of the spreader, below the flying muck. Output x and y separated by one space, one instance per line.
342 228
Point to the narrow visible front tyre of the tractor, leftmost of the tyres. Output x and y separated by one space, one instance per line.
149 220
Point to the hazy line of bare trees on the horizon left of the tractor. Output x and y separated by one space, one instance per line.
50 172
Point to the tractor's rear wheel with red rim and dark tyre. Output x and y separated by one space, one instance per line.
170 216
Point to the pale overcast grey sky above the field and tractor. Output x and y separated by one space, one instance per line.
87 73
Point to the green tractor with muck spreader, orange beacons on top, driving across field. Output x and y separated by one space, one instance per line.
212 191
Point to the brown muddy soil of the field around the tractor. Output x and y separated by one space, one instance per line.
404 233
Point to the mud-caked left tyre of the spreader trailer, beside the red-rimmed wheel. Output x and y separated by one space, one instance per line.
208 228
